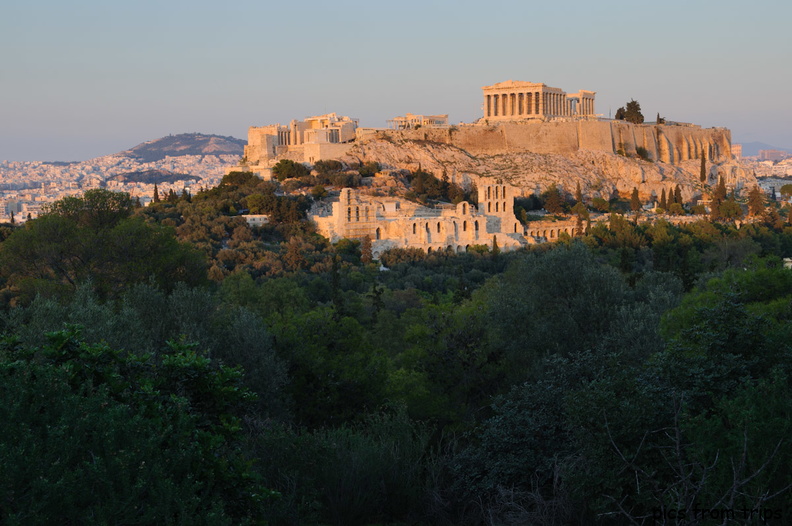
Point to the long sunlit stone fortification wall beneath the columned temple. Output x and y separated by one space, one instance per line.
667 143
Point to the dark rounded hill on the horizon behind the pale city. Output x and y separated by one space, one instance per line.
185 144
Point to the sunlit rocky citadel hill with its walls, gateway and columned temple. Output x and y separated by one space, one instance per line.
530 136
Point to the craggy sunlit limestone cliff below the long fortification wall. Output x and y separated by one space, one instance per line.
599 173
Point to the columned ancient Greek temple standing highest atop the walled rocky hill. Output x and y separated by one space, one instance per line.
516 100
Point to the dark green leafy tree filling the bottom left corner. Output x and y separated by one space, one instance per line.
92 435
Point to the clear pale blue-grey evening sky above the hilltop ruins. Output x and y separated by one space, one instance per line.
87 78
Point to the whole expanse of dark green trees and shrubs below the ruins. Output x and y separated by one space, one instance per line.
639 368
